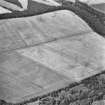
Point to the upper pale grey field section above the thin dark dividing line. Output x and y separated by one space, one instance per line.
39 29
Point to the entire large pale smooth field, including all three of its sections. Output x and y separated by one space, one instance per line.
43 53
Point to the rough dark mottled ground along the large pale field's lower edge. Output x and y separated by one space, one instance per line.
90 91
